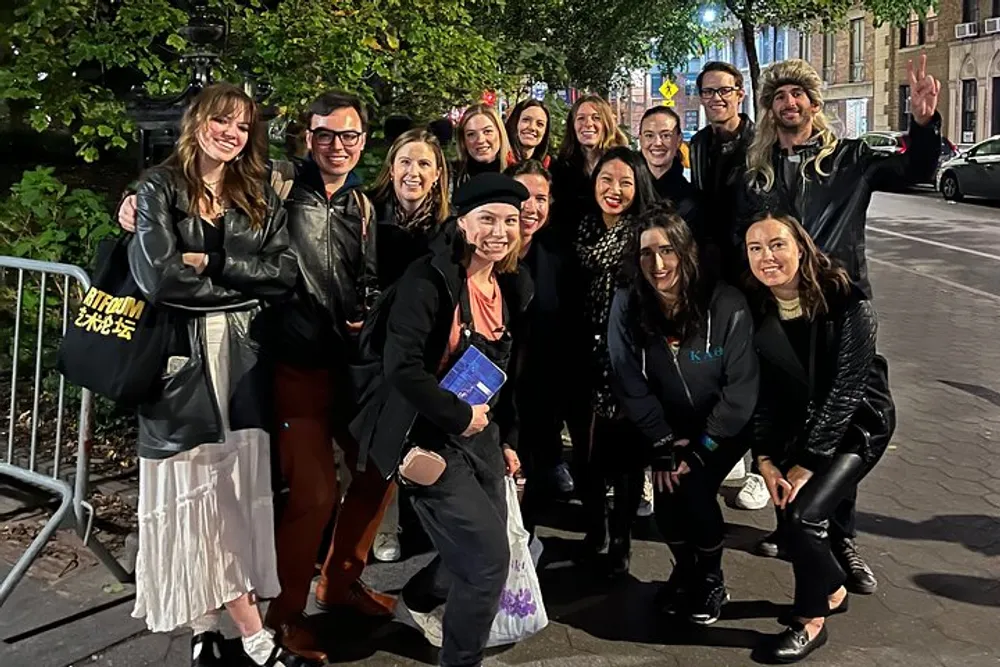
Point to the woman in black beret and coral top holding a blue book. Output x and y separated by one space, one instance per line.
468 296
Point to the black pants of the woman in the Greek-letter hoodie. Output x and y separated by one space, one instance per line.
691 514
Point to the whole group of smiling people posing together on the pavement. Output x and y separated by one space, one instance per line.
668 325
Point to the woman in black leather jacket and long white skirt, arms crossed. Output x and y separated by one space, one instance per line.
211 248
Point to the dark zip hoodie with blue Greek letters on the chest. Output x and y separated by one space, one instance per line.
709 388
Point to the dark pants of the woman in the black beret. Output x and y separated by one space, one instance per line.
465 516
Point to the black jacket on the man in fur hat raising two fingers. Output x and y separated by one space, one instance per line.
834 208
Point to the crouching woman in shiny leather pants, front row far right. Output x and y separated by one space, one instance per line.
825 414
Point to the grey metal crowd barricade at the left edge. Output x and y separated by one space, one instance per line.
30 468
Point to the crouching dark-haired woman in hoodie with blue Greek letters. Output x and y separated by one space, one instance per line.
685 373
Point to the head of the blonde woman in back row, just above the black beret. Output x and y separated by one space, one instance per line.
483 145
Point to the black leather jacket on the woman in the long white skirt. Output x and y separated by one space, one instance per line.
257 266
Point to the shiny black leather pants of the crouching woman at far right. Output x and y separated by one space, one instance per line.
807 524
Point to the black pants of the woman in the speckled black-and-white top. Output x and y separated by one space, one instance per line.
614 456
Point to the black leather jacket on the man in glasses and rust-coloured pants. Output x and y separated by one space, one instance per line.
337 265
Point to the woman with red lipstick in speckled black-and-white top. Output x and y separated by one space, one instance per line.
621 189
